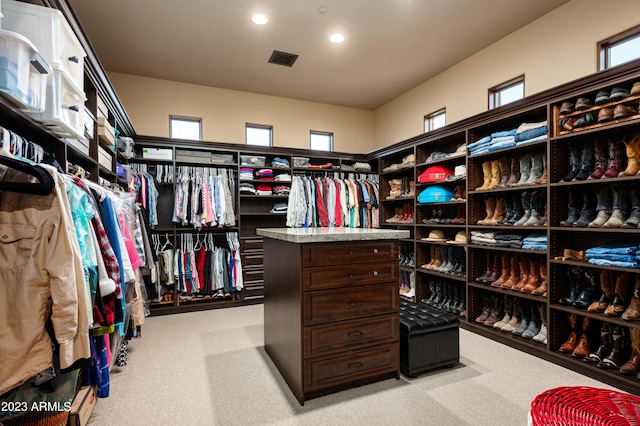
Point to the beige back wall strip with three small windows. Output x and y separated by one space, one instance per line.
224 113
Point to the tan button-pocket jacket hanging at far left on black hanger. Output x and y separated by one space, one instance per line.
41 275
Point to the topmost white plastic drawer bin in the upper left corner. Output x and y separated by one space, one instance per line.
52 35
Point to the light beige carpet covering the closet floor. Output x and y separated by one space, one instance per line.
210 368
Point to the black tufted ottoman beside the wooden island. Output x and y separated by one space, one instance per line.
428 338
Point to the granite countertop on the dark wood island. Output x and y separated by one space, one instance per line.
321 235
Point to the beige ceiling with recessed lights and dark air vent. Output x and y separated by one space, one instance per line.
391 46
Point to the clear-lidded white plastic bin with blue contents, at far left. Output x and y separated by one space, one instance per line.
23 72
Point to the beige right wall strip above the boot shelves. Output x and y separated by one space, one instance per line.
555 49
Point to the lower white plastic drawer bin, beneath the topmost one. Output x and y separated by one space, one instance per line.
64 106
